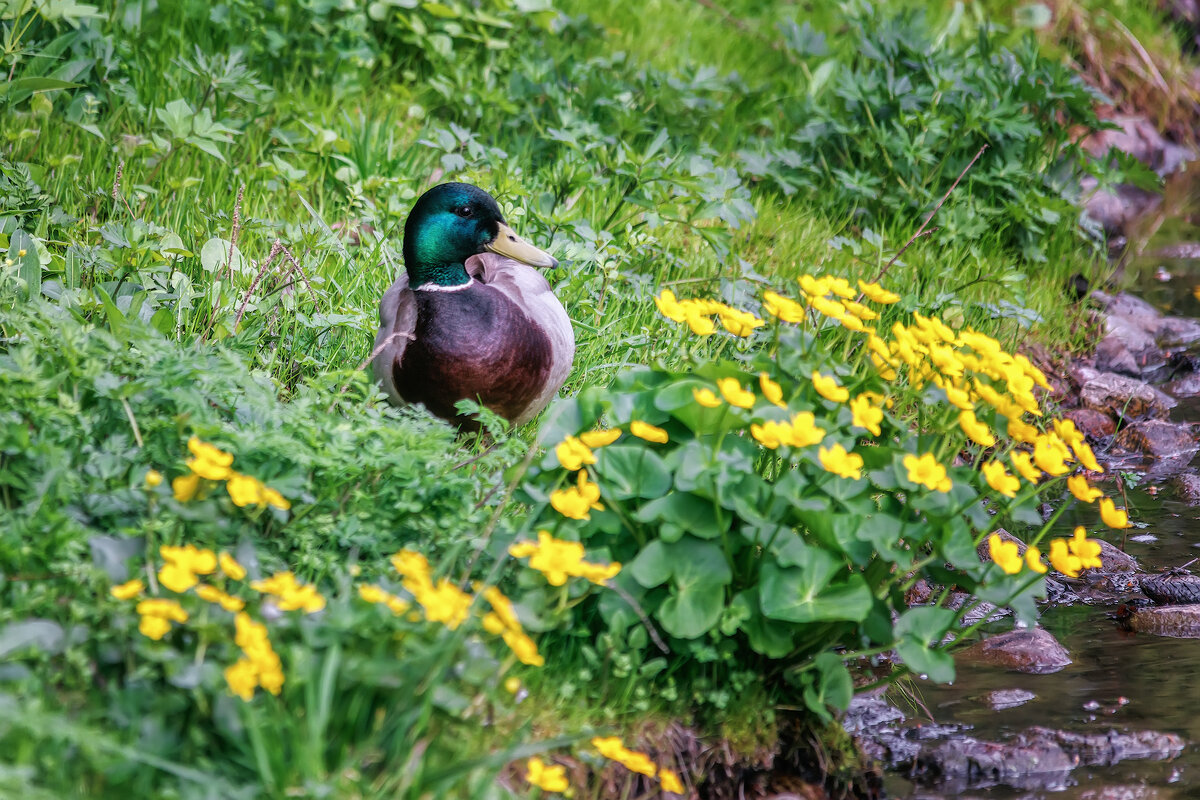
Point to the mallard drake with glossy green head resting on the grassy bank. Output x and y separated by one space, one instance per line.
470 318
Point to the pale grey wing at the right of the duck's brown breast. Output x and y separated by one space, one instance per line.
531 292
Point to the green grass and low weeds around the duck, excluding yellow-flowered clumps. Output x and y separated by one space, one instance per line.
649 146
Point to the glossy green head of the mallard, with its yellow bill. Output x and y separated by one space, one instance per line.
453 222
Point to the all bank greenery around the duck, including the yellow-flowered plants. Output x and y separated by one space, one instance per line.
229 569
